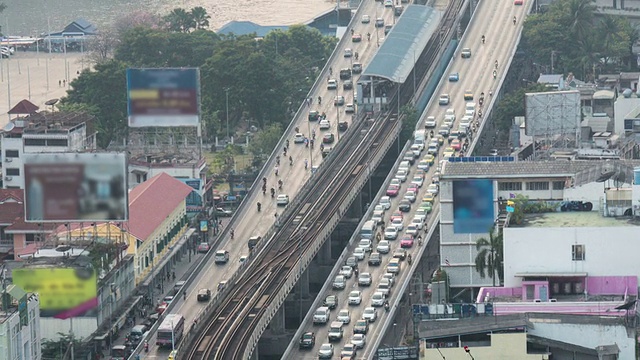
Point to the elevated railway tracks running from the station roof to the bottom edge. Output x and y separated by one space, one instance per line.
227 333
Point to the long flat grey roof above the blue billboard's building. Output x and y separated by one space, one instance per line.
531 169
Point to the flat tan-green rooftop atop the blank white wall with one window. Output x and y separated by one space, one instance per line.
576 219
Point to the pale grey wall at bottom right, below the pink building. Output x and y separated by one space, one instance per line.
586 335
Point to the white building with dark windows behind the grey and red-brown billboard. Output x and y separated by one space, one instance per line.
40 133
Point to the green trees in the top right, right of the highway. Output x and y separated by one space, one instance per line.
578 40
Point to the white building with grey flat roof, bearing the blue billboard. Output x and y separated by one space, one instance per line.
481 190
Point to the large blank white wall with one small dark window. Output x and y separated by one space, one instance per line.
609 251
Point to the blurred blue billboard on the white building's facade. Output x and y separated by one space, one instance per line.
473 210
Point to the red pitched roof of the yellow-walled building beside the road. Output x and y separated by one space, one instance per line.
152 201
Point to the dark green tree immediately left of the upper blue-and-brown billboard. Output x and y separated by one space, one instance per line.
102 93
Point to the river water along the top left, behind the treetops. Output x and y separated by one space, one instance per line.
33 17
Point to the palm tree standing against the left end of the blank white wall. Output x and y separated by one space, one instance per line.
490 255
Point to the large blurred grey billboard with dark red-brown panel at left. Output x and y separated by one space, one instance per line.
70 187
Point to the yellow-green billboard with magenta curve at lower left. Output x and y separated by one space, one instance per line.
63 292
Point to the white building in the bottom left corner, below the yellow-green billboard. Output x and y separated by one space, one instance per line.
20 330
